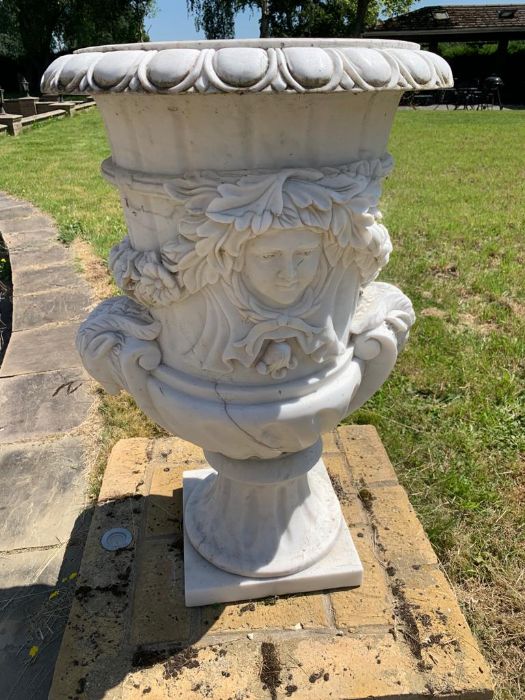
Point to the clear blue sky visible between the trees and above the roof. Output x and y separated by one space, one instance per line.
171 21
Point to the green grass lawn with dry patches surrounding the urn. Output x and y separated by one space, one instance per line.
452 416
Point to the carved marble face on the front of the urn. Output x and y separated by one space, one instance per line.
281 264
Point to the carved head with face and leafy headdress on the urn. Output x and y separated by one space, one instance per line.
276 231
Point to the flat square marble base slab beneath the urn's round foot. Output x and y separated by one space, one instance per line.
204 583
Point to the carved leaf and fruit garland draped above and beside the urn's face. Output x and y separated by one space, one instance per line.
223 211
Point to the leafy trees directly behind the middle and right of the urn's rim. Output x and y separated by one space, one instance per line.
289 18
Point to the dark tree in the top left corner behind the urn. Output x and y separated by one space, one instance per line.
34 31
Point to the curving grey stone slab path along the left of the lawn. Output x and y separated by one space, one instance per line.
42 472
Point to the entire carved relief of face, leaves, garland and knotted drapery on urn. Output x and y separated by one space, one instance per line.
328 218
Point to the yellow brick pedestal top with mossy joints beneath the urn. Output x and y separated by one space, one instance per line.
401 635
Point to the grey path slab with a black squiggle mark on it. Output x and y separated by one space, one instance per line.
37 405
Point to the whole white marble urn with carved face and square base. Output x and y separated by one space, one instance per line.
250 175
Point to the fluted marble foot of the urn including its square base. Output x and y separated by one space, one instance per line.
264 527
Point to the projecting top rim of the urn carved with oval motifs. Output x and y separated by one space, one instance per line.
345 66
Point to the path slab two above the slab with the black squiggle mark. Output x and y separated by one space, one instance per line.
34 310
